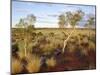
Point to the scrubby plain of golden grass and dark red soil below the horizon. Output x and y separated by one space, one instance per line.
47 49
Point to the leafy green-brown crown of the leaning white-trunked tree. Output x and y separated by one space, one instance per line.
70 17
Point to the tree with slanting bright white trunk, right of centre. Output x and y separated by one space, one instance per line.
72 18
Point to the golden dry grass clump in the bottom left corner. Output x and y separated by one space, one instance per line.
17 66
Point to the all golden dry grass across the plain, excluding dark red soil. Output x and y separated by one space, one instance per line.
78 44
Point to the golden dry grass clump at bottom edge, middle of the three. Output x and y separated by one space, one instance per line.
34 64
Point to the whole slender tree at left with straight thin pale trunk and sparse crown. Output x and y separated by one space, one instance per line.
27 25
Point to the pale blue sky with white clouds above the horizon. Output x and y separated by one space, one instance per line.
46 13
